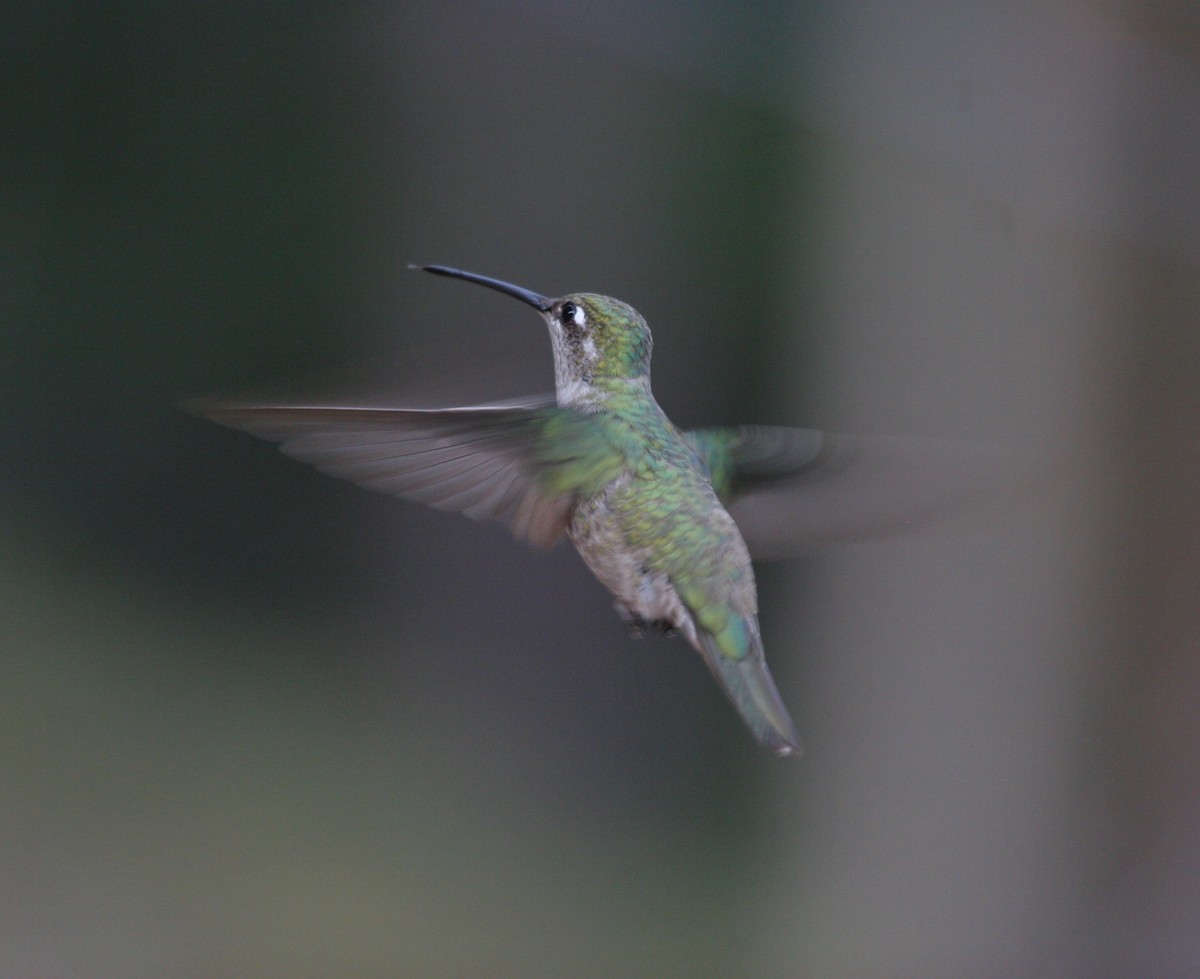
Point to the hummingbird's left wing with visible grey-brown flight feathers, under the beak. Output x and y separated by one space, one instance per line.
520 464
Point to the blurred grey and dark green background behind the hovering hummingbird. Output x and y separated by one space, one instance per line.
257 723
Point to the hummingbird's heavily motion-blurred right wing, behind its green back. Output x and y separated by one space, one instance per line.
793 490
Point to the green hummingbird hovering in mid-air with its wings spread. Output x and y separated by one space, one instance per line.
643 502
